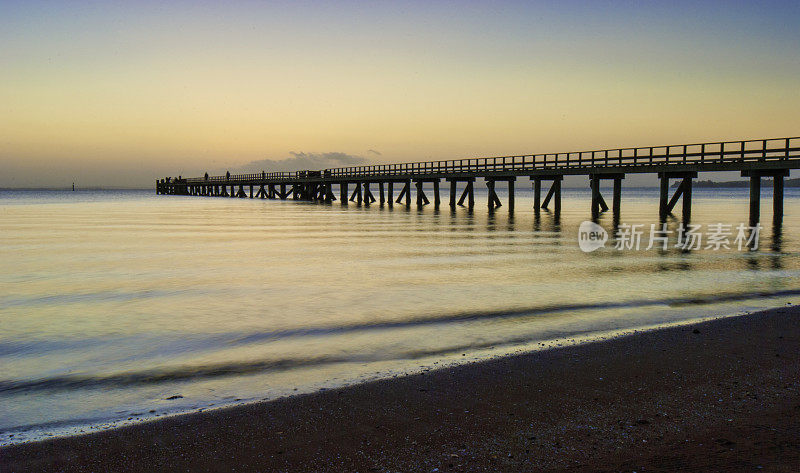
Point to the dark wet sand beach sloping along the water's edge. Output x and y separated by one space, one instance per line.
722 395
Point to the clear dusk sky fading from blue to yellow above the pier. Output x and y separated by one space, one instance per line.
120 93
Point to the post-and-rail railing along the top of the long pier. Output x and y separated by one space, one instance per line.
725 152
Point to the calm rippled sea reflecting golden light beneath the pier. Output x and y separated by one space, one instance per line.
117 307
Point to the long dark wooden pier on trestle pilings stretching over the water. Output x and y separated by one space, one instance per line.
754 159
